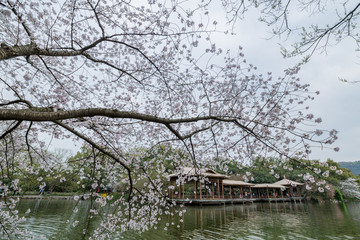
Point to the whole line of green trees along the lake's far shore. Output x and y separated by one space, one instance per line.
75 174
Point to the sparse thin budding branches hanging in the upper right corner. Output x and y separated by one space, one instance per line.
330 22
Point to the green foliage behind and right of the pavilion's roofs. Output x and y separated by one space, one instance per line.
320 177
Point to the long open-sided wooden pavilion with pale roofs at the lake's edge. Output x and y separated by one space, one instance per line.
205 186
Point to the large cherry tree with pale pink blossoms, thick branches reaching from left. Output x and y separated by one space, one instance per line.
125 75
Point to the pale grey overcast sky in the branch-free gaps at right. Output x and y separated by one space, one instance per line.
338 103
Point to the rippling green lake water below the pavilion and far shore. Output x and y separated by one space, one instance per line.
249 221
